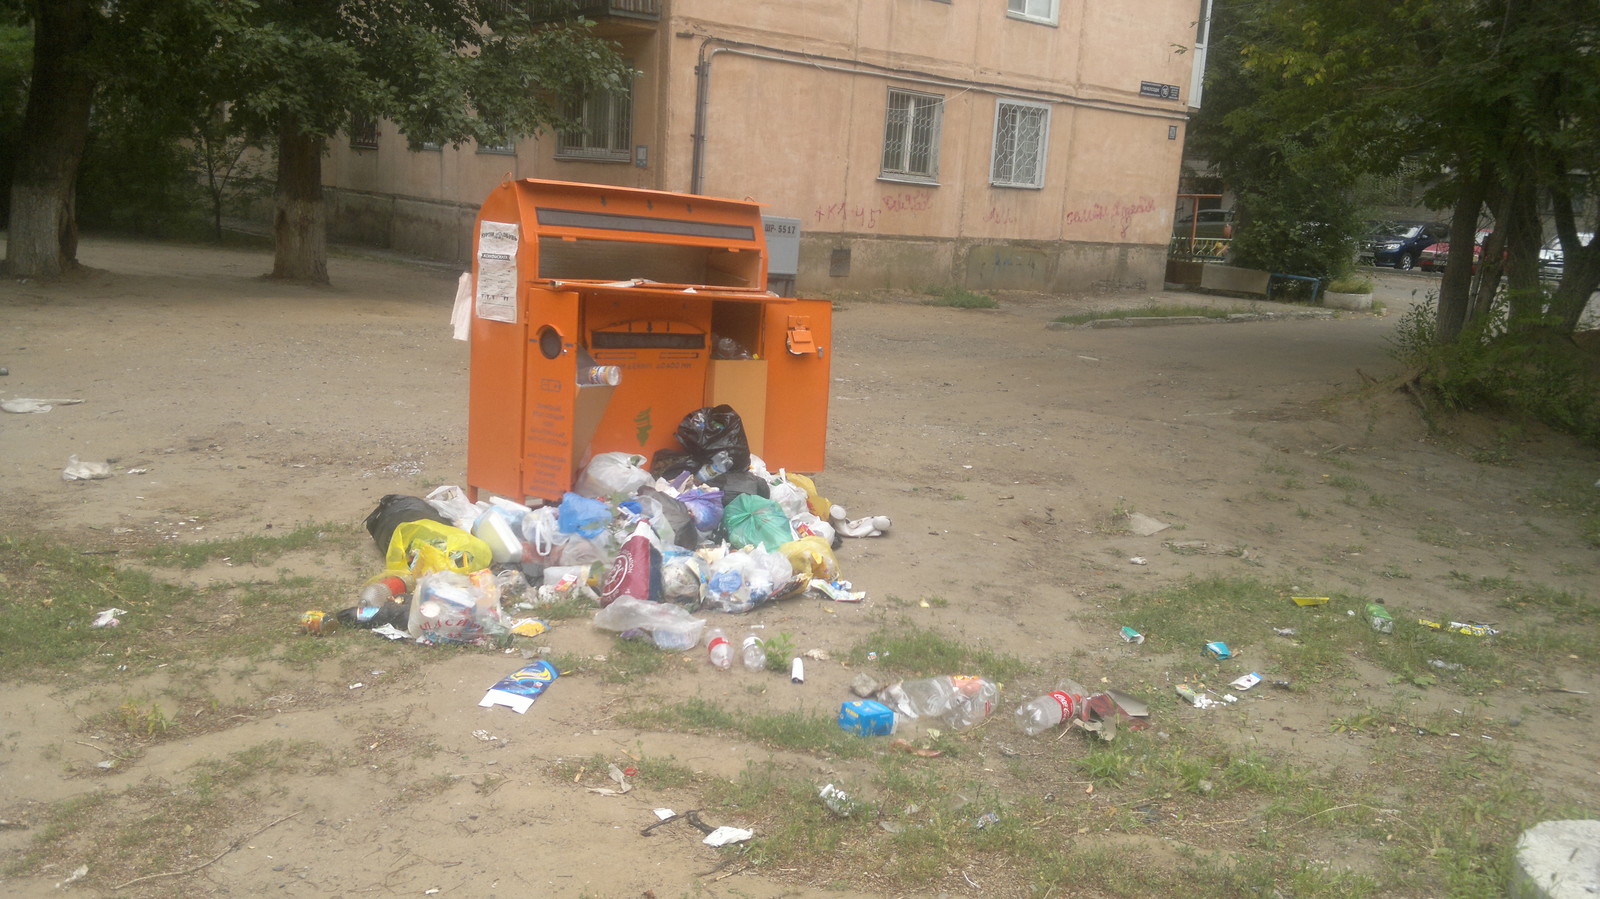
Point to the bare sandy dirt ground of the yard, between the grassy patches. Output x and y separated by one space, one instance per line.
1001 449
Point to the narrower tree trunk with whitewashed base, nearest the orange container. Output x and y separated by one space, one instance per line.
300 230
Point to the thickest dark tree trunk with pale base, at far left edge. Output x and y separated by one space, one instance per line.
44 234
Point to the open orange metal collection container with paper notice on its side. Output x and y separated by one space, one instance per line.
596 313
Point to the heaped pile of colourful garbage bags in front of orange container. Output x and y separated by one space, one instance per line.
706 529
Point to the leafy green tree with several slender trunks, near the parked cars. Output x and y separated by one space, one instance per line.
1500 98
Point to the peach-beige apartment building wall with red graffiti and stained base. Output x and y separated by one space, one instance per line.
785 103
